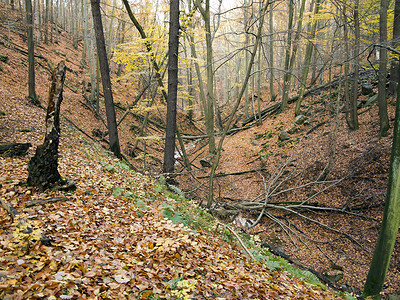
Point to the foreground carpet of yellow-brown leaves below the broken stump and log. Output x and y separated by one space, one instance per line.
107 246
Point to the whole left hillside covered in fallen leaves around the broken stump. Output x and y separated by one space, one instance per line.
119 234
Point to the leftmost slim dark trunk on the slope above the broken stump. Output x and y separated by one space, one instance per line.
31 53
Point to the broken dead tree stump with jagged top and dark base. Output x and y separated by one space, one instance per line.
42 167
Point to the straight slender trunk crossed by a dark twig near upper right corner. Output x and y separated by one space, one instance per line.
383 114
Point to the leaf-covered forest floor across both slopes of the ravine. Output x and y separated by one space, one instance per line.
110 238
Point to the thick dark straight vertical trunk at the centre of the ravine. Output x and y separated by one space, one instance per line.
169 152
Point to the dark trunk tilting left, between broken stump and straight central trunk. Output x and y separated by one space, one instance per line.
105 78
